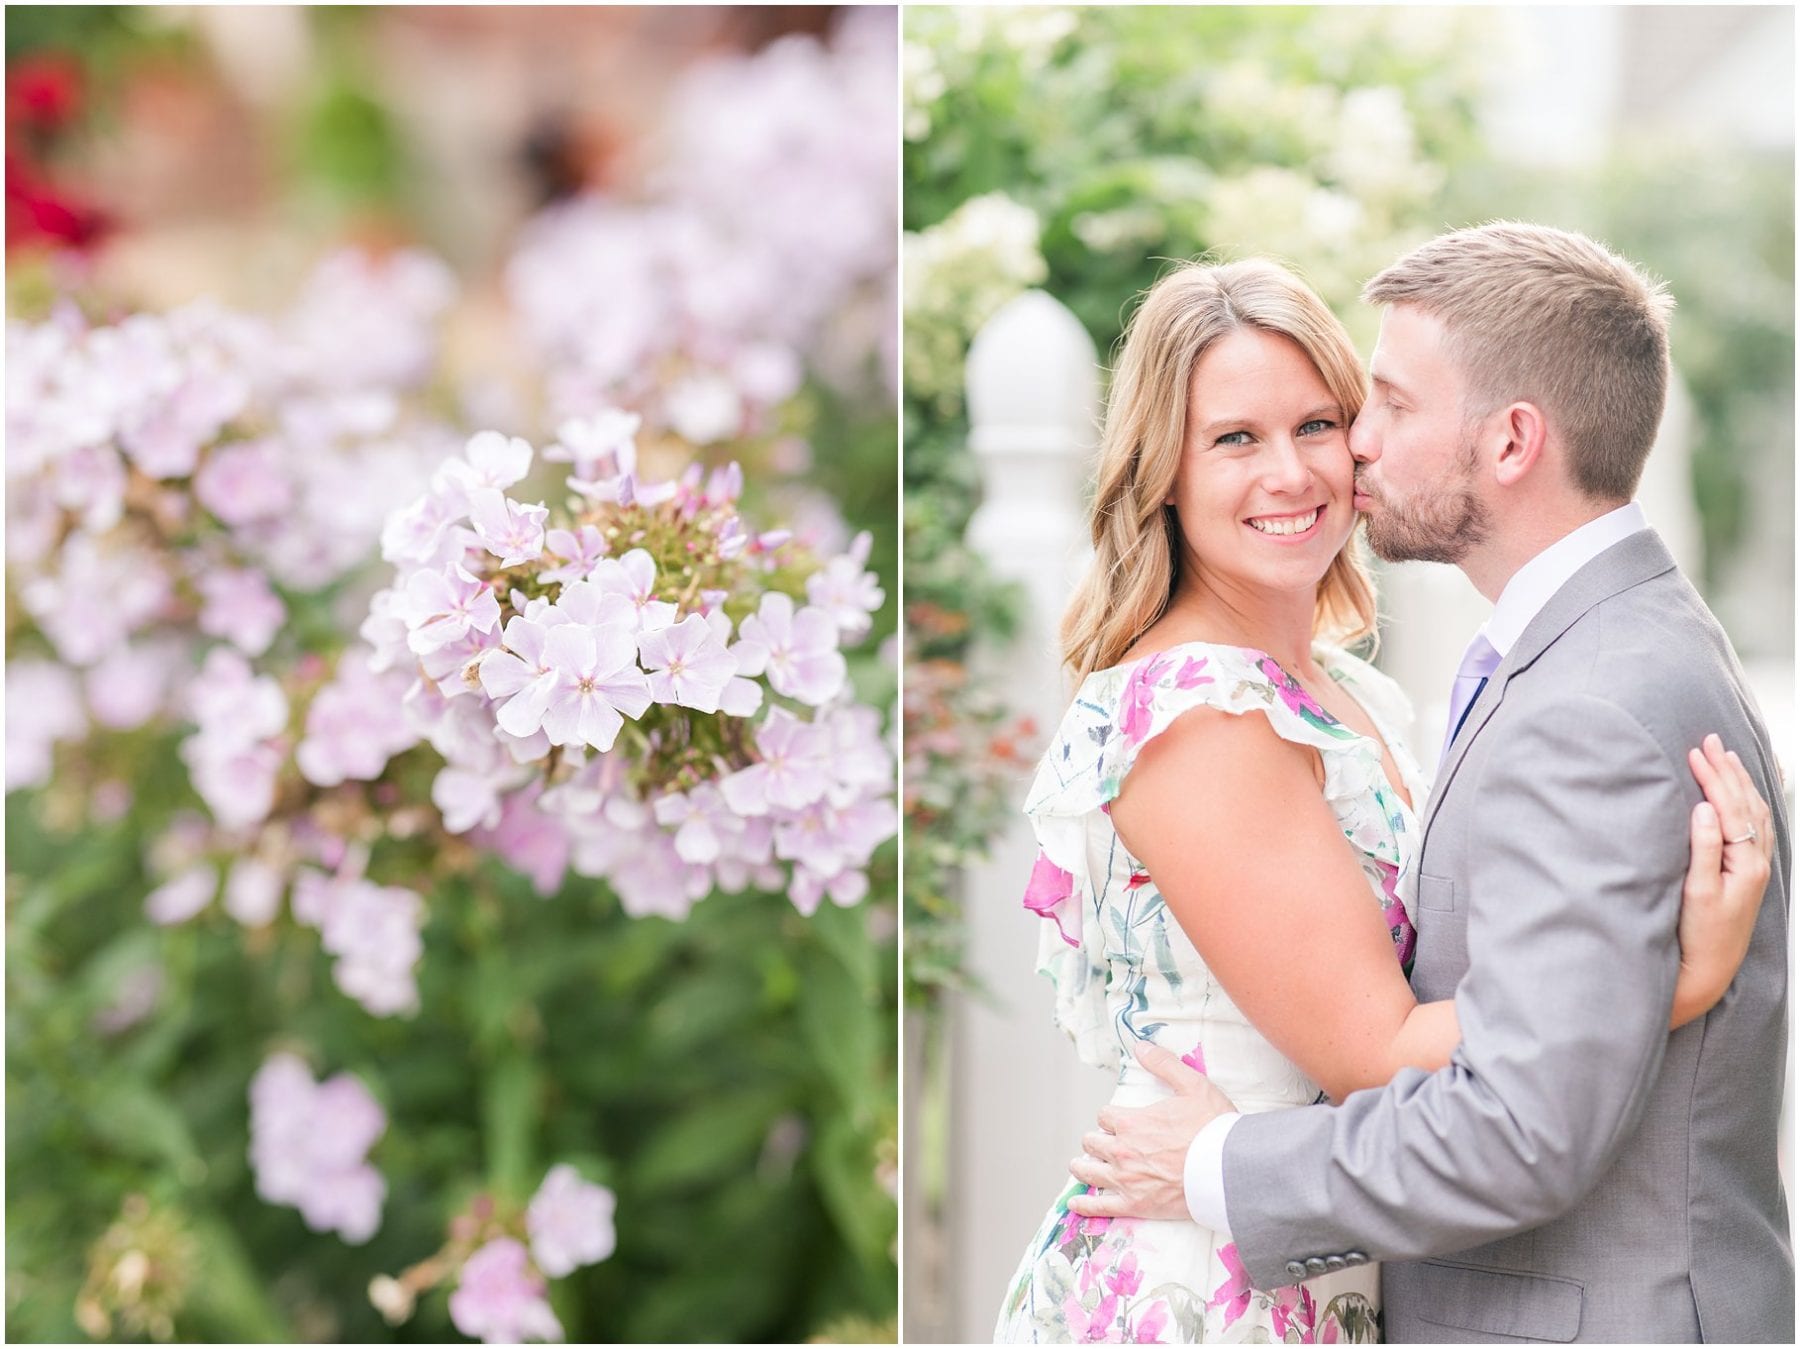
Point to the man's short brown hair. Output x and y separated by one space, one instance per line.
1549 318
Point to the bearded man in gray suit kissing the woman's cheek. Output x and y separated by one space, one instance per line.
1576 1173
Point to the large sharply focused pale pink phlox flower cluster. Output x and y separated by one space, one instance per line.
643 689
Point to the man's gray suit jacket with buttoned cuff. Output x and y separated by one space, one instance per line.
1578 1173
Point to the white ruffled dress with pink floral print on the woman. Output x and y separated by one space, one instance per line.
1124 970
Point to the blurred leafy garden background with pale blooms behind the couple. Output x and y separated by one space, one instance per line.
1083 149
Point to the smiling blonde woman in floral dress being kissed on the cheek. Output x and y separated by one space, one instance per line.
1227 583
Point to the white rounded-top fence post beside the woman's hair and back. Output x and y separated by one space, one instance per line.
1020 1098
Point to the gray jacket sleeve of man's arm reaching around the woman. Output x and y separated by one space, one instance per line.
1572 887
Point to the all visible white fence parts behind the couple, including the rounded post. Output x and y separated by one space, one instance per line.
1020 1100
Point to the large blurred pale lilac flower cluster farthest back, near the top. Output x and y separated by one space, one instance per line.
764 240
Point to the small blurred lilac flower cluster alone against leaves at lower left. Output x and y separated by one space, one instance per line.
309 1146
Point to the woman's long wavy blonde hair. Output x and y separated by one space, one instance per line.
1137 538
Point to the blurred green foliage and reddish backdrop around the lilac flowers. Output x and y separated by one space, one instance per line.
733 1076
